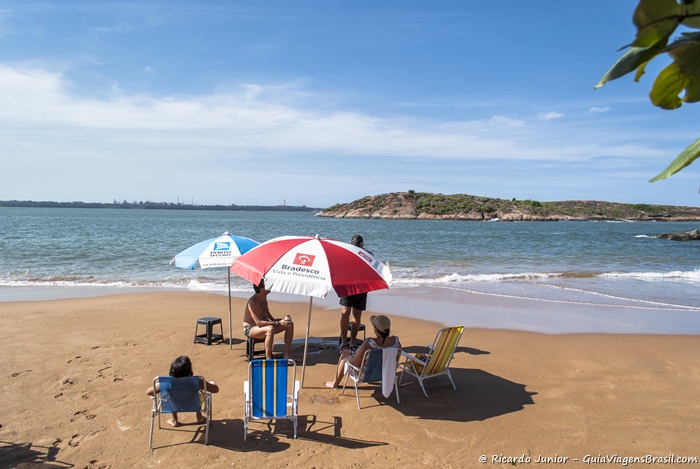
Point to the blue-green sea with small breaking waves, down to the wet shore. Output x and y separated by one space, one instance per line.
543 276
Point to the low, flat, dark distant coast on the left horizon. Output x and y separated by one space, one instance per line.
157 206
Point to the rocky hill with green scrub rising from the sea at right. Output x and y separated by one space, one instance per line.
421 205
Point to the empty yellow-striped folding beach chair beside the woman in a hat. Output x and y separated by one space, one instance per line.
436 361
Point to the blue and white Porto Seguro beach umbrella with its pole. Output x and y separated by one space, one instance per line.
216 252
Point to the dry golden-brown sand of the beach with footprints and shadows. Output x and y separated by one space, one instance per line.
75 372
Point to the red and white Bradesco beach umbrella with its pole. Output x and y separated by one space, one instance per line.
312 266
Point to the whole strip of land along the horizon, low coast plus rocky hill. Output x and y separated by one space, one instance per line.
421 205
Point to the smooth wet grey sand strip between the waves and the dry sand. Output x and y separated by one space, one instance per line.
446 306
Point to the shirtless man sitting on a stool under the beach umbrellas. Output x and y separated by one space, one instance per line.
258 322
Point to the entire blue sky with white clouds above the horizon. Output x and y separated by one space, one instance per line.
322 102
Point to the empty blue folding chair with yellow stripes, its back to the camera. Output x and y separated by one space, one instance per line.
271 392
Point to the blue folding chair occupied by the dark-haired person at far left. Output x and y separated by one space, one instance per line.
180 395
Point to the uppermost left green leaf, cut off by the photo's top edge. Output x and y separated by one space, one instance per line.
656 20
